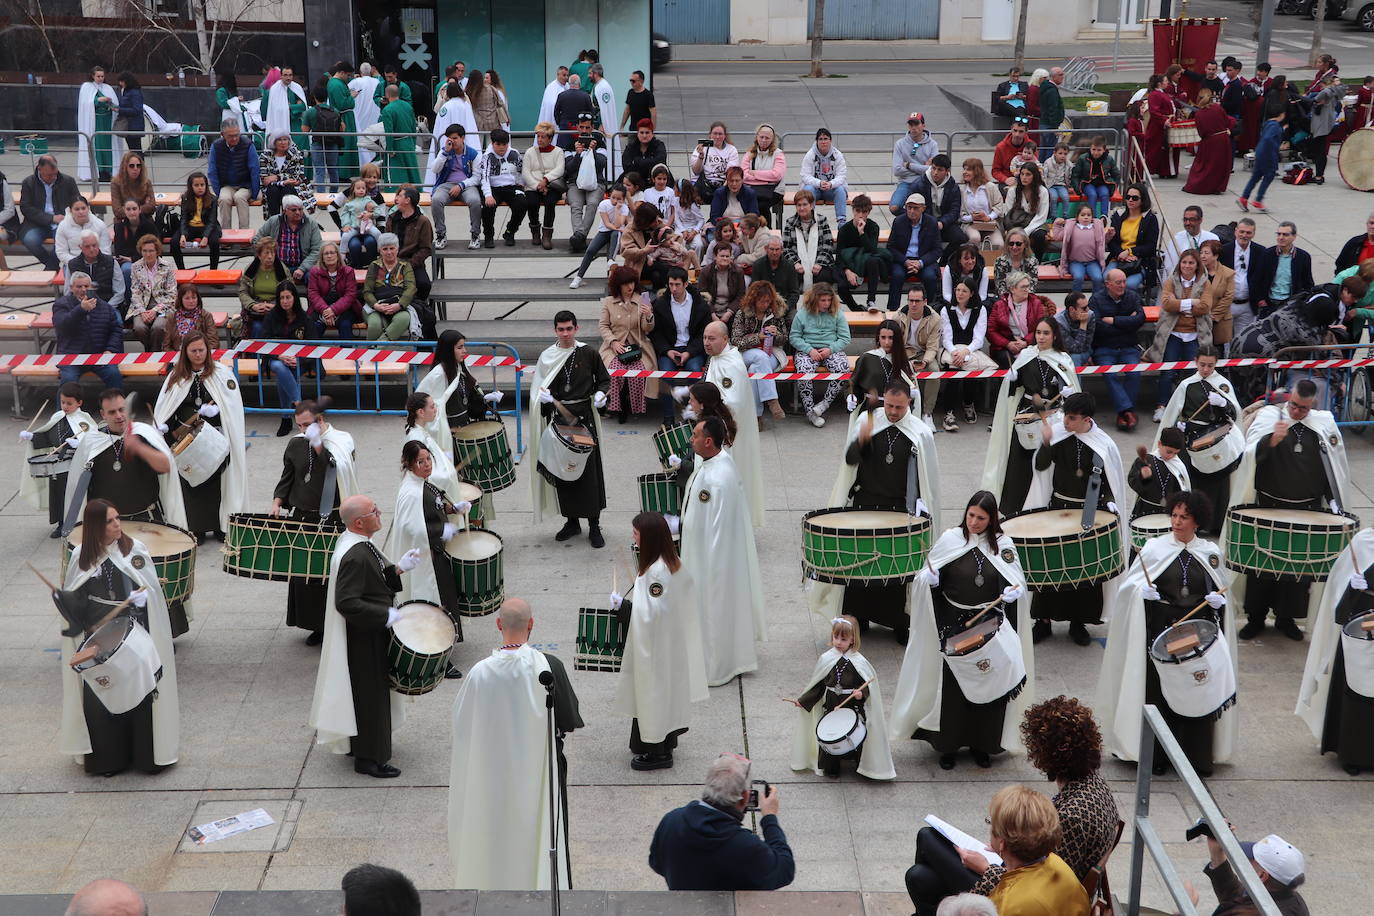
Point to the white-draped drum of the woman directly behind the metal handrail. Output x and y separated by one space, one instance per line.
1195 667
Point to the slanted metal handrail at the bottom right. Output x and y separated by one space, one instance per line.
1147 840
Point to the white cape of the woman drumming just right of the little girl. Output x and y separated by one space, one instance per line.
920 685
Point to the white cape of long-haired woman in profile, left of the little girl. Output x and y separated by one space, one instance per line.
664 671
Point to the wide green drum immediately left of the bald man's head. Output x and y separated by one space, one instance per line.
280 550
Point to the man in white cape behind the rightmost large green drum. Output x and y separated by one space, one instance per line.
1295 459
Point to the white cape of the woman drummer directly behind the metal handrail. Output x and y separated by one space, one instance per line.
1122 680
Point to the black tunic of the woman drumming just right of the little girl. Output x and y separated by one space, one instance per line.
964 723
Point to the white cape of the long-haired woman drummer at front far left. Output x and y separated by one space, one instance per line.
167 723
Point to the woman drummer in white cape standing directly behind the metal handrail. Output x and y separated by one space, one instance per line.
1193 687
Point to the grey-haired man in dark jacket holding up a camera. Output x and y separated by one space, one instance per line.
704 845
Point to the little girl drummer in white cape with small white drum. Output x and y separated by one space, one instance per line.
840 713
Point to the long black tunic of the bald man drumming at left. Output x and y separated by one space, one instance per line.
363 594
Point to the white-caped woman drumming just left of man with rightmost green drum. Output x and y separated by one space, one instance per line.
1204 407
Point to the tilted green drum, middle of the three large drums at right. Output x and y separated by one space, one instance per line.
1057 554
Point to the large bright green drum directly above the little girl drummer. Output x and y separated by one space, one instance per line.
864 546
